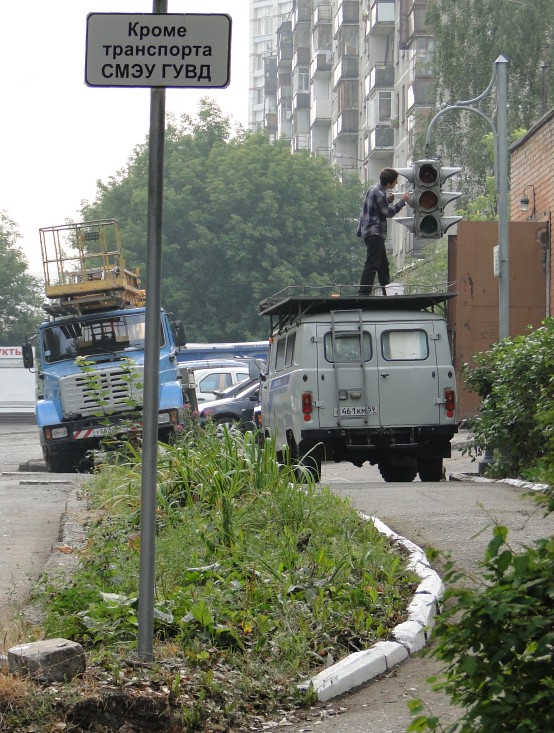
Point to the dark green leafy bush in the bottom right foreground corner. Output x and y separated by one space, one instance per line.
497 643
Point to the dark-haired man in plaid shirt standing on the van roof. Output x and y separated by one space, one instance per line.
378 207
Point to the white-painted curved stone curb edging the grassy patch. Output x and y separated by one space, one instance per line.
408 637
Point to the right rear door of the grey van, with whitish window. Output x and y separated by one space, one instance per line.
408 373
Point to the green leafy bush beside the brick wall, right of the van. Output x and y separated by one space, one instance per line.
515 378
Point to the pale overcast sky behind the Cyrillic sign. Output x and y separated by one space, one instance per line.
59 136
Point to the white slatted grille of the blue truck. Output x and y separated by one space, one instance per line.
101 392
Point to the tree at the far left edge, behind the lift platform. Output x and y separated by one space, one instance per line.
20 293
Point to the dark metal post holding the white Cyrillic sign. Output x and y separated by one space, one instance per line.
151 368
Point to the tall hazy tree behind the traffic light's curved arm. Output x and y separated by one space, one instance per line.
469 37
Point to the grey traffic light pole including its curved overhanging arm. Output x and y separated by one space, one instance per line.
500 134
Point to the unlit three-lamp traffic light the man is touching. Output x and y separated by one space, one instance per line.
428 200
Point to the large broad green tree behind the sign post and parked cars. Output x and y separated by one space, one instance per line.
243 218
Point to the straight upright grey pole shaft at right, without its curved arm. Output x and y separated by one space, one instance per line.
503 220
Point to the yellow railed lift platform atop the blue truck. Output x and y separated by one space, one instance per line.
84 269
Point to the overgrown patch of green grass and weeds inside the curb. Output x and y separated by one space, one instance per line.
260 583
